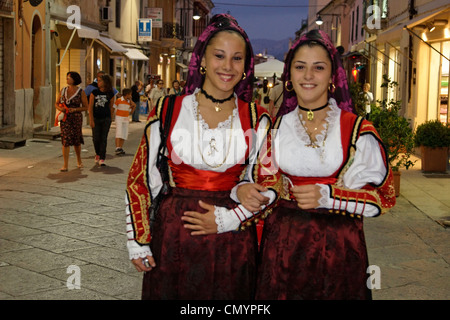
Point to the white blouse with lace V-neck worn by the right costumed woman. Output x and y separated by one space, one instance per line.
295 158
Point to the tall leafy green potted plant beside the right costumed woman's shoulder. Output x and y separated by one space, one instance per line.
395 132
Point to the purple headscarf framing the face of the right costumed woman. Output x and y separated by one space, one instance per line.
339 77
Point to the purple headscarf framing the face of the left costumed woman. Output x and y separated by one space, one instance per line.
220 22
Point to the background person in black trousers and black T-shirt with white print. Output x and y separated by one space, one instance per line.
101 108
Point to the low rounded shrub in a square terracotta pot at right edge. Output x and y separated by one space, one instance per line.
433 138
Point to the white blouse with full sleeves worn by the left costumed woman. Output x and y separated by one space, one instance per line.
201 147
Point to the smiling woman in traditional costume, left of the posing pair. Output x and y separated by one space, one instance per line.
213 135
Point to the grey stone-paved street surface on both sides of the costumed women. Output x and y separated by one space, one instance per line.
54 226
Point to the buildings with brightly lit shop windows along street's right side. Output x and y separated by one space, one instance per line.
408 41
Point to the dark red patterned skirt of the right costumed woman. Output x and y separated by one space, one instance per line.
312 255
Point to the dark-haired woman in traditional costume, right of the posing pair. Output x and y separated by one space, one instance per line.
333 170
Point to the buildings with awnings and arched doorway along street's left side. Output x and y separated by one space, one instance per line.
42 40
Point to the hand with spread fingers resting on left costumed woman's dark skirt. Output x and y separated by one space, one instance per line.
201 223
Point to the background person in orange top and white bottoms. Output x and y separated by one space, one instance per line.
123 107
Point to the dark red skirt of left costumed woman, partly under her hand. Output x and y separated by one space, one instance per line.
213 267
